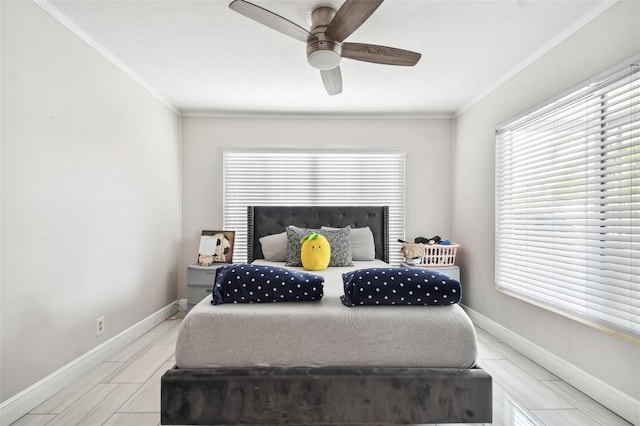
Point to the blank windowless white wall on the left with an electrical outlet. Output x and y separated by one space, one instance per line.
90 198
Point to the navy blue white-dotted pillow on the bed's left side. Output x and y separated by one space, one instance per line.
247 283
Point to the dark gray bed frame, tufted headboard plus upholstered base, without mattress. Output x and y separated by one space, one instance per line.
297 396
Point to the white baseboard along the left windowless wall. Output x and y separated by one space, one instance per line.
25 401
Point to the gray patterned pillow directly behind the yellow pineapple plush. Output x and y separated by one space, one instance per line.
339 240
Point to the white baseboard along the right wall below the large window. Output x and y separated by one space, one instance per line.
618 402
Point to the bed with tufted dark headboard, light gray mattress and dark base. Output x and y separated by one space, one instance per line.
320 362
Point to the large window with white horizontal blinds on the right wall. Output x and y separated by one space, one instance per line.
568 203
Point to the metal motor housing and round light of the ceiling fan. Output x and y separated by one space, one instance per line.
323 53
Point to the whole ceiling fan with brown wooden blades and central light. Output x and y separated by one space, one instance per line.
325 40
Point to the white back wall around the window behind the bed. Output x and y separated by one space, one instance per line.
428 173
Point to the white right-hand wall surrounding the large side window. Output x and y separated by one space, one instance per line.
604 42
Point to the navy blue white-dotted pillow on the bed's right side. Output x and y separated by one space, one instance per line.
399 286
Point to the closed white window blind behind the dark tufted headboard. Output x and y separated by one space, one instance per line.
313 178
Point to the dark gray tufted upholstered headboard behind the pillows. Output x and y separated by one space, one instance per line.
267 220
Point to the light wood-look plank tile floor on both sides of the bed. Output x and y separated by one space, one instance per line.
125 390
